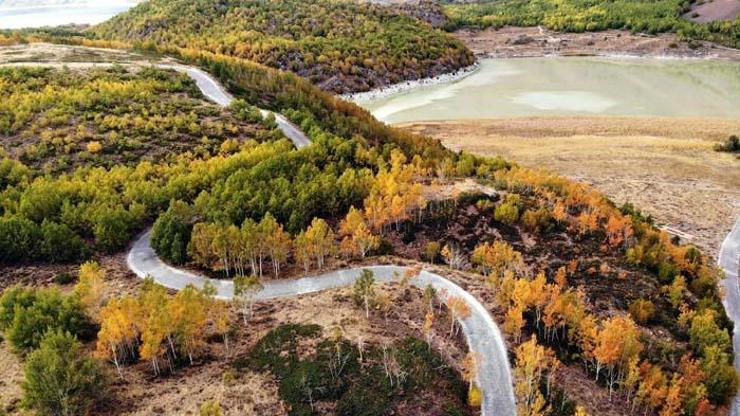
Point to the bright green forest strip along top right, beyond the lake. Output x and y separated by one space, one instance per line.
584 15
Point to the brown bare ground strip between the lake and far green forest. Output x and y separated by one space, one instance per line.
515 42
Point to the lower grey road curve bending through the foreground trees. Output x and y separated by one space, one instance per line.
481 332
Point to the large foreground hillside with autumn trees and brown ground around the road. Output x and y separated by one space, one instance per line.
602 312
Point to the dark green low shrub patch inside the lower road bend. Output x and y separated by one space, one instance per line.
315 372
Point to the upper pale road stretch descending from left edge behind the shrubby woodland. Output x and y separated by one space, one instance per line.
210 88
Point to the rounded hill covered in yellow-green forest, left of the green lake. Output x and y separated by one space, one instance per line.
339 46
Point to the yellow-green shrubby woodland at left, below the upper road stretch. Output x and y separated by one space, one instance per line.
54 120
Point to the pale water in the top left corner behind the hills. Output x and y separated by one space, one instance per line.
55 15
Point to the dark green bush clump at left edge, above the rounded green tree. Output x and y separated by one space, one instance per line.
27 314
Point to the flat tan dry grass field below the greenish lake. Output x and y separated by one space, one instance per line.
665 166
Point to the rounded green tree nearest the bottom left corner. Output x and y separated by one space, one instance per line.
60 379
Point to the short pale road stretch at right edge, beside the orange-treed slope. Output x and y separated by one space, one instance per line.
729 261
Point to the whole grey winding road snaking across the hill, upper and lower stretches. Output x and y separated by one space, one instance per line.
481 332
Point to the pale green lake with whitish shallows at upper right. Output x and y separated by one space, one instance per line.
555 86
